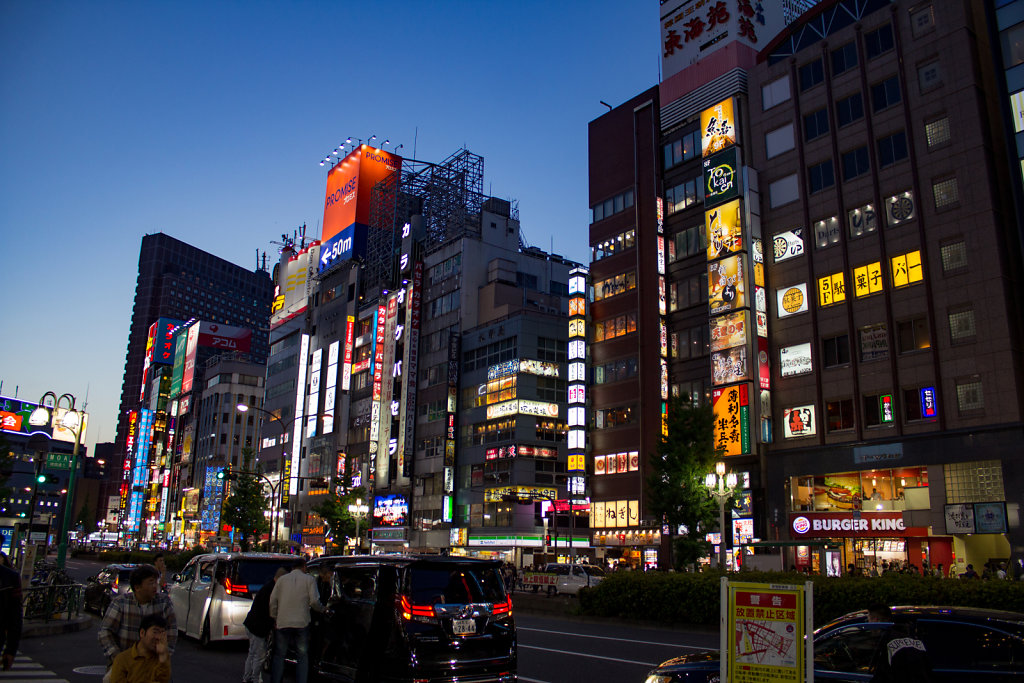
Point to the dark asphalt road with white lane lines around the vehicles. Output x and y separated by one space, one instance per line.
551 651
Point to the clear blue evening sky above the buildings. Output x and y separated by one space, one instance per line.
207 121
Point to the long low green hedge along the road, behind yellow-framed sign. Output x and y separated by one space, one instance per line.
695 599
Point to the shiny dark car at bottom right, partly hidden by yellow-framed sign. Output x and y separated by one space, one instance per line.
963 645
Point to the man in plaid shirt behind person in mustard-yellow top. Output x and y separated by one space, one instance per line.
119 629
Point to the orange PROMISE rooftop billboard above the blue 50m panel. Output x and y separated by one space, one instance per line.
350 185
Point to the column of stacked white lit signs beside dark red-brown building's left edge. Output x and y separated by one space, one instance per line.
577 398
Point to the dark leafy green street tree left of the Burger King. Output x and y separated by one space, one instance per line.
676 486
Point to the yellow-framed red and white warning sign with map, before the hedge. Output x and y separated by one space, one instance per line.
766 633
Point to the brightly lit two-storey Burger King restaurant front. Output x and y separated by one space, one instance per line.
860 519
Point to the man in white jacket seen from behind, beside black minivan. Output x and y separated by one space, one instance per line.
294 595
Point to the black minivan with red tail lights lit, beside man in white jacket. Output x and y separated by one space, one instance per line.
415 619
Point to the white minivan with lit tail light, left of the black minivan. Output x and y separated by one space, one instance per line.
214 593
